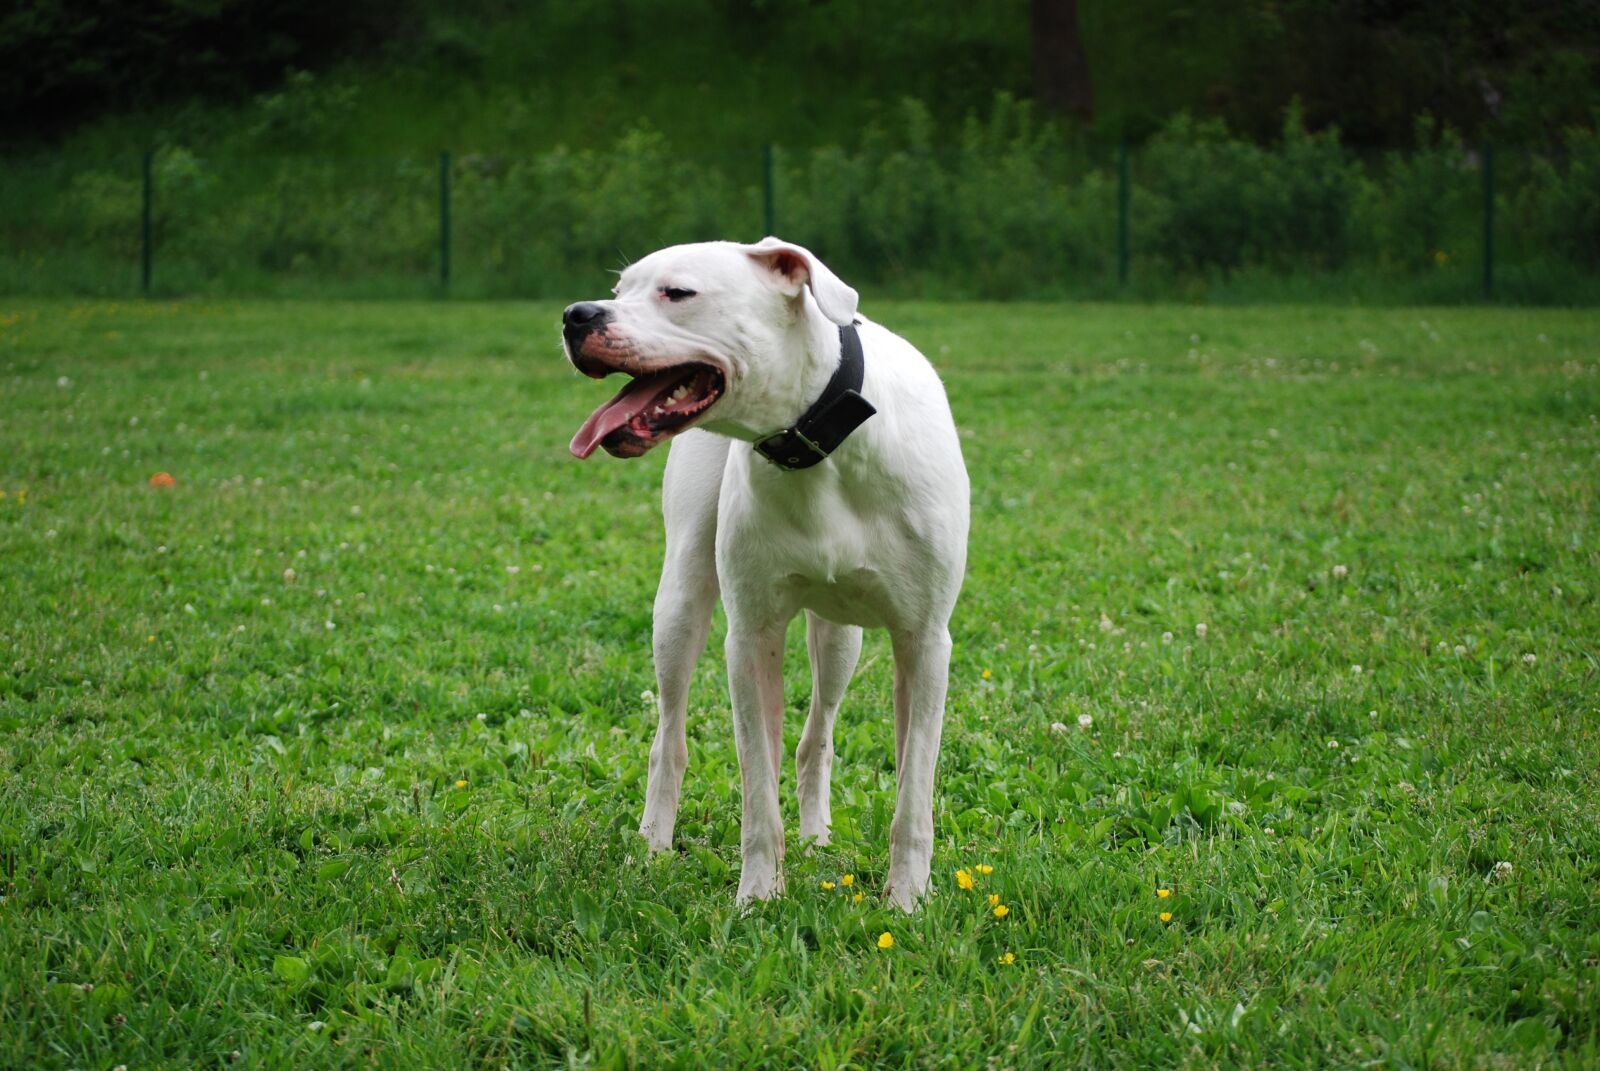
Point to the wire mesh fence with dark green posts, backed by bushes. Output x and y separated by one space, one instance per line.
990 219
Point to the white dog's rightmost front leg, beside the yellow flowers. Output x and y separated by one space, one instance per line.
922 673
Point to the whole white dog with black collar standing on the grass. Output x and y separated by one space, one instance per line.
823 475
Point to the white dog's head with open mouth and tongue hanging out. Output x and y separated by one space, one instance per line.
711 334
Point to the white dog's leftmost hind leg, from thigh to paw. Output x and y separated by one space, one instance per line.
684 608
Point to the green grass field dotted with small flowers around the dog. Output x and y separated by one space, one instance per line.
332 753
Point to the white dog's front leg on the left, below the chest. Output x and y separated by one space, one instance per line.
756 684
